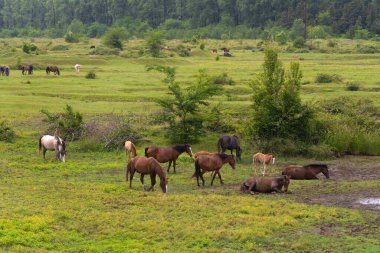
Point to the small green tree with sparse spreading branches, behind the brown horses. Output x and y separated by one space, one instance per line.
180 110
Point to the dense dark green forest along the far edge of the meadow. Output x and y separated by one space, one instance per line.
53 18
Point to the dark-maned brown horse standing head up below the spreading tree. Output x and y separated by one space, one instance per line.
169 154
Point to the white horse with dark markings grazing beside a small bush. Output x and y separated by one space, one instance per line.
49 142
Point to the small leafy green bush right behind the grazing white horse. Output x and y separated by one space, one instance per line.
69 123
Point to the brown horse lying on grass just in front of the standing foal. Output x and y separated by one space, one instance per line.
265 185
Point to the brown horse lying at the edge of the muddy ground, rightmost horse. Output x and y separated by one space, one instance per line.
306 172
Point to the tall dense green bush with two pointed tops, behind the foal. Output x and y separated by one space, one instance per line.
277 108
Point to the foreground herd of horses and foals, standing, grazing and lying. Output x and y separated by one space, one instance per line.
204 161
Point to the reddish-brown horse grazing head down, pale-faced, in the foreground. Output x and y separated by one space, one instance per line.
146 166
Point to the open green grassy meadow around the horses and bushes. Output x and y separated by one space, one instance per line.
85 205
